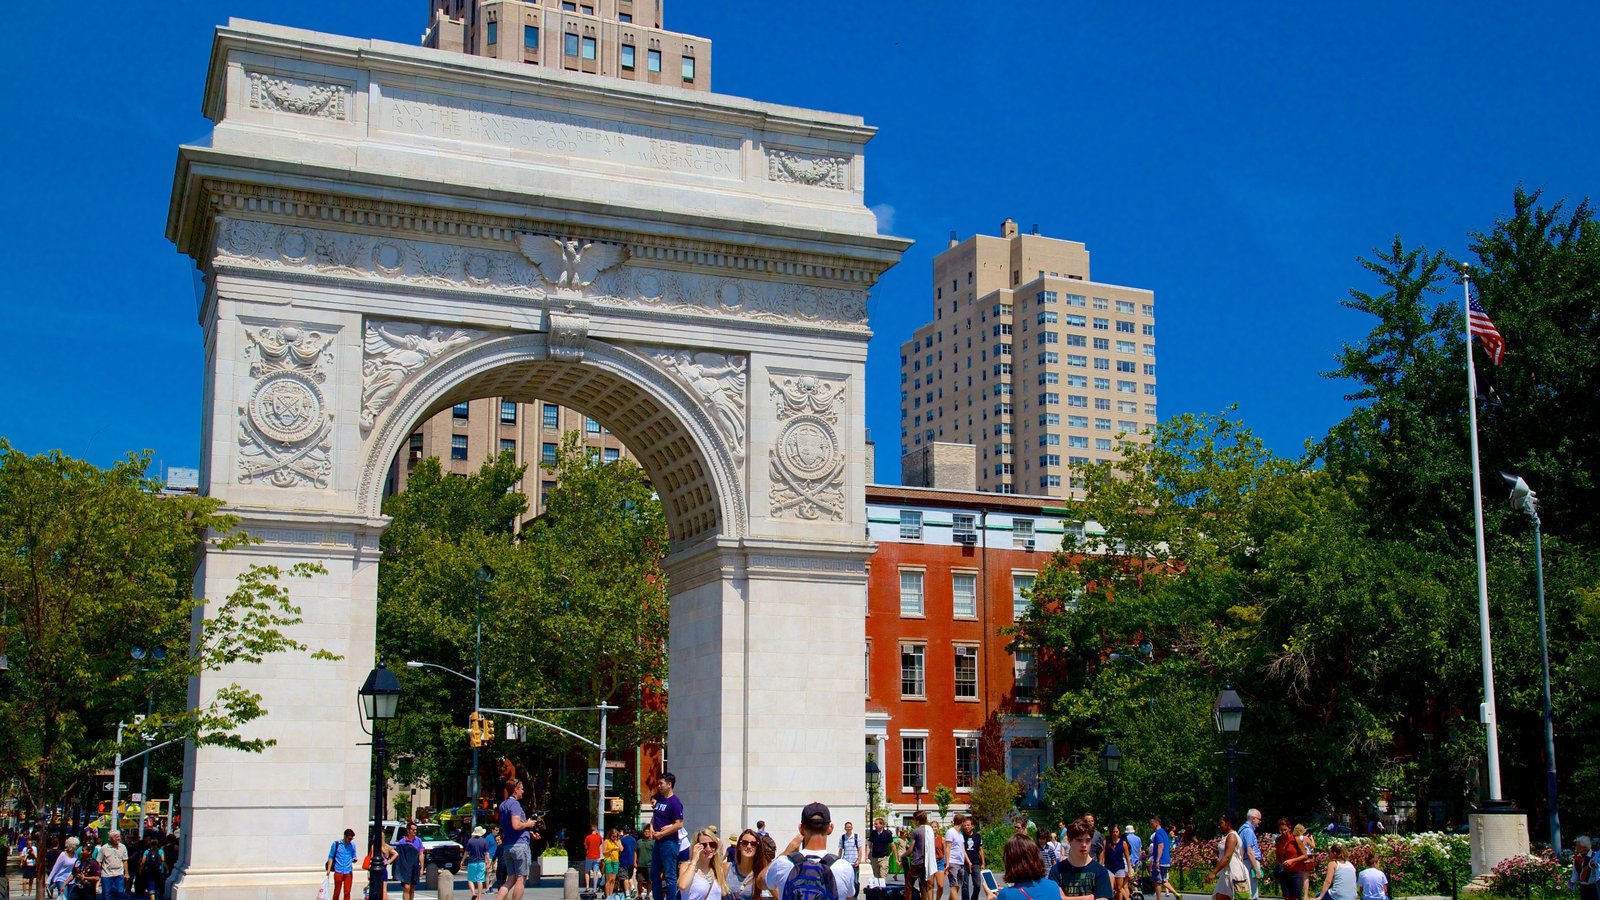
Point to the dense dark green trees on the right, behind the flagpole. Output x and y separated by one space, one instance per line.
1338 592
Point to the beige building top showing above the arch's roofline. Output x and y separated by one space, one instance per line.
622 39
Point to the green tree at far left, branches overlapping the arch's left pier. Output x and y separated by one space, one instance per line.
94 561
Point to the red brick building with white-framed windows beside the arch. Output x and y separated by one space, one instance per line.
945 697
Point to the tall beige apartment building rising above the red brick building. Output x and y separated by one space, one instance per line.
1028 361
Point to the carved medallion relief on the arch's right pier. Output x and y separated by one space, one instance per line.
809 459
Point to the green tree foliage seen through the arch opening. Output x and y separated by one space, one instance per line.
575 613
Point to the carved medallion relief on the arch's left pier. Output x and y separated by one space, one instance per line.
286 430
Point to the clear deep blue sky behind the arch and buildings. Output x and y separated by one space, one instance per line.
1233 158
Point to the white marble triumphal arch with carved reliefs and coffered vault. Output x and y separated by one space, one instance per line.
386 231
